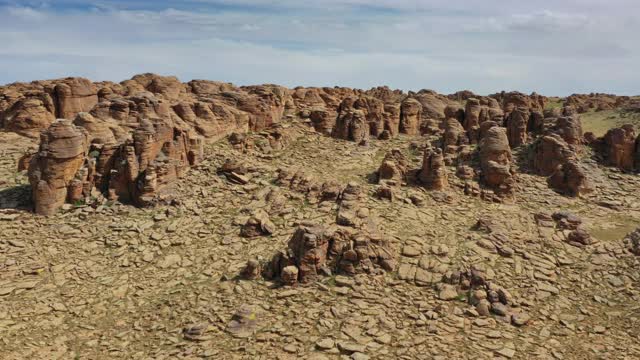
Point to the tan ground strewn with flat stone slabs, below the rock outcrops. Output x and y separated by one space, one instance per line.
115 281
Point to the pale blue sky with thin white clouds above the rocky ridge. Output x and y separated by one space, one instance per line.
553 47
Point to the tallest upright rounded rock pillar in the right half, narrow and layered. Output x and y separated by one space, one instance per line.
495 161
